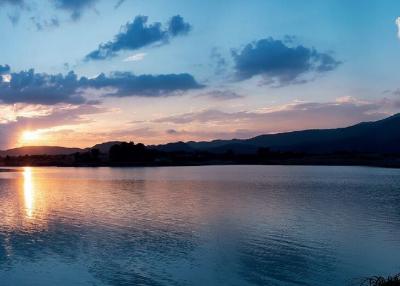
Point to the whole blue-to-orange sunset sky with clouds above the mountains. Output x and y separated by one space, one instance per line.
80 72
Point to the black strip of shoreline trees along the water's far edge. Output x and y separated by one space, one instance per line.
131 154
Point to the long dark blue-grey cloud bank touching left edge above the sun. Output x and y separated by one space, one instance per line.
42 88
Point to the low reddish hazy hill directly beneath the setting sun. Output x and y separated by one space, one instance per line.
39 150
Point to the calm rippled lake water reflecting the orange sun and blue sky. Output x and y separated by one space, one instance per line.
219 225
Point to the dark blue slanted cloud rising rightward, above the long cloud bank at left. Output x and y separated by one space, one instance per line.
137 34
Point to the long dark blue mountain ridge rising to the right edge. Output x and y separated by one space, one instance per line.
381 136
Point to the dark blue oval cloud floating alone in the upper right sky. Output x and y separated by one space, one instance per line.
279 63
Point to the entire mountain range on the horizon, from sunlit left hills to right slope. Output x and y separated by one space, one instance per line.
381 136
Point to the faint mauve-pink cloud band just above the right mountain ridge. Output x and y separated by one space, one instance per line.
289 117
